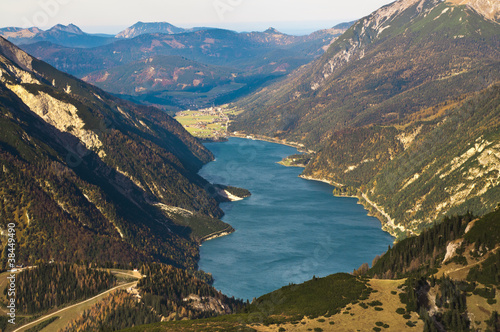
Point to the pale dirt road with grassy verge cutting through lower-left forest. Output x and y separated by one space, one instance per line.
74 311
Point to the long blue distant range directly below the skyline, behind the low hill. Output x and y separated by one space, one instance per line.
219 47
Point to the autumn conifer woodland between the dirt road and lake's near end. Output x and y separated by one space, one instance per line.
161 295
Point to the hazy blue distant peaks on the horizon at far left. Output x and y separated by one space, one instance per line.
65 35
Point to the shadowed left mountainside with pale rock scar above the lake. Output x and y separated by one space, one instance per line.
88 177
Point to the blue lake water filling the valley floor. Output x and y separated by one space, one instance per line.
289 230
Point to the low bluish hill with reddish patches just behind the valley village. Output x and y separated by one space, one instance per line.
168 80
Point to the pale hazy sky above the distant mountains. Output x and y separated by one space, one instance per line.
112 16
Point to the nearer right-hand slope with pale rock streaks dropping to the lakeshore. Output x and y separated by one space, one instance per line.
445 162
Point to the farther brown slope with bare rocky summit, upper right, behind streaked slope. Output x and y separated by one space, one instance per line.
380 60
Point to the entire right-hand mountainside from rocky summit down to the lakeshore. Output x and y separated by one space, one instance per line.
396 110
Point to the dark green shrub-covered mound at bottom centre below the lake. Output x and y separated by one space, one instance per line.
314 298
